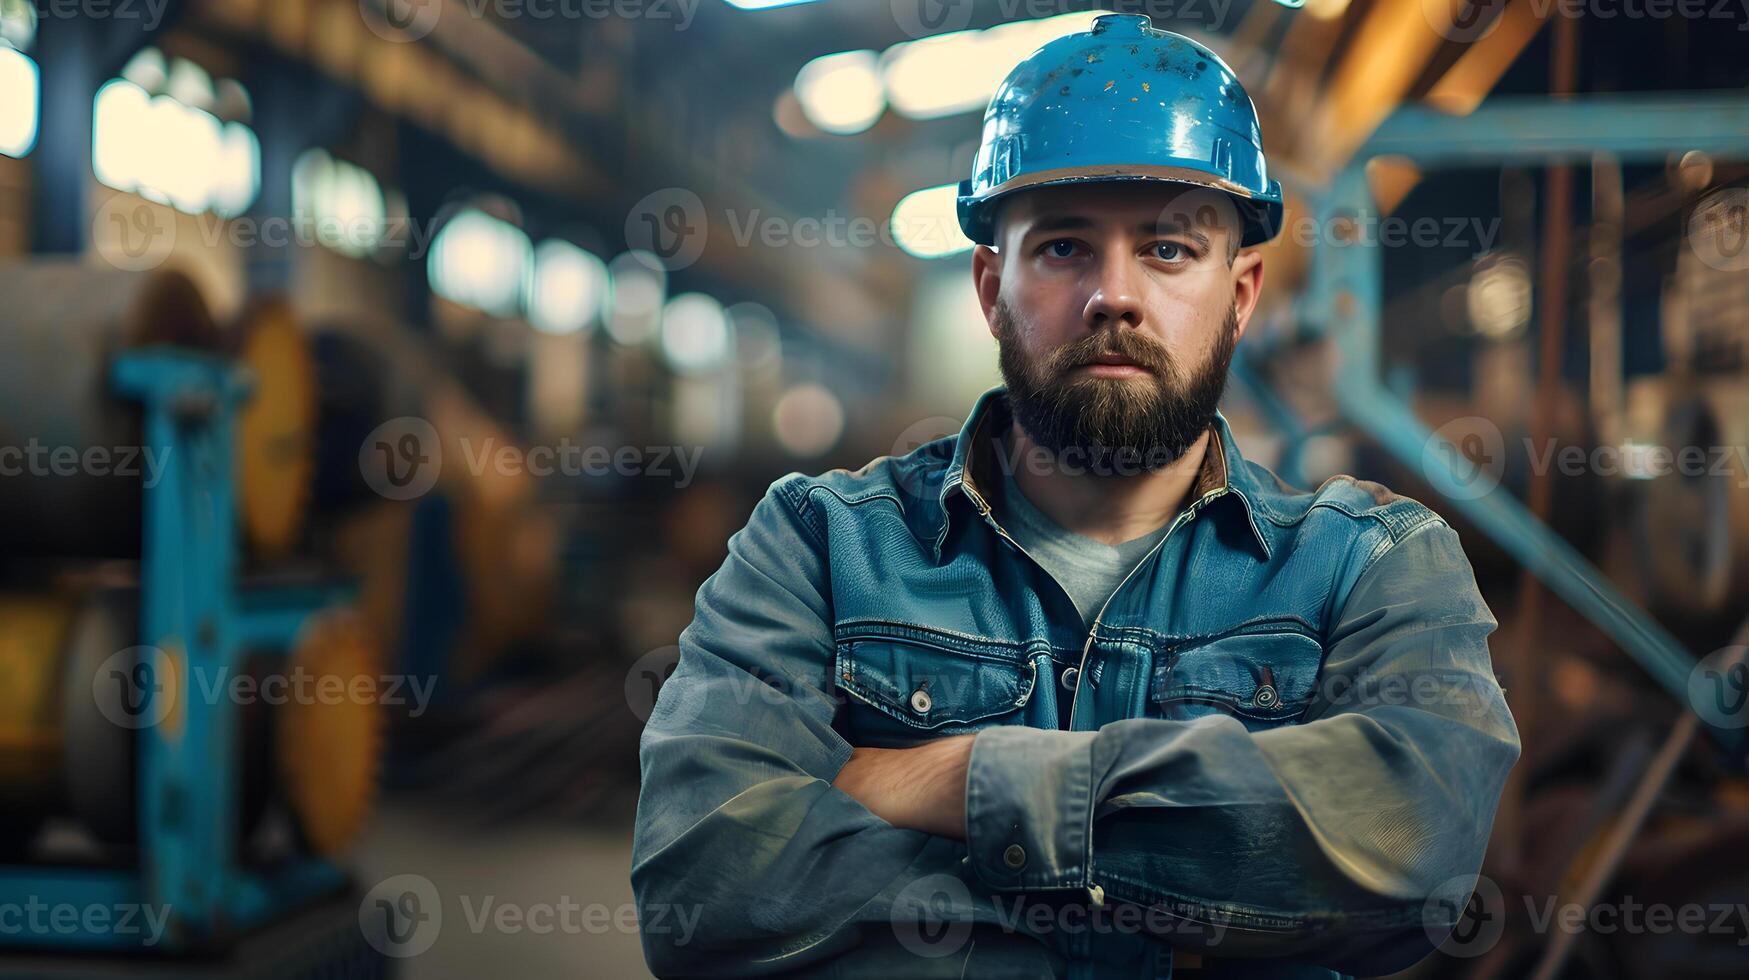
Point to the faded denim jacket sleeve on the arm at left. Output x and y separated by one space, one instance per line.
739 832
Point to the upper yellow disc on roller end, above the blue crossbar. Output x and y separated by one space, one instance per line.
275 435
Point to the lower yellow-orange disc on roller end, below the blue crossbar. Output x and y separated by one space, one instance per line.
328 746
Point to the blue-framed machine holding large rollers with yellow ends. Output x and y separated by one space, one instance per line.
143 760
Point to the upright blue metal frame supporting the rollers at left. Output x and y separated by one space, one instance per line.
193 612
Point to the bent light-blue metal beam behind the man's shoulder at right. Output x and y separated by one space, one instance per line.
1346 295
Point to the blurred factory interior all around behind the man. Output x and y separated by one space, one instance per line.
380 379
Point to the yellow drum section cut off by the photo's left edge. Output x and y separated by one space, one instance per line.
32 641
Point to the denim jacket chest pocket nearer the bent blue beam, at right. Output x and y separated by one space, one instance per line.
1260 678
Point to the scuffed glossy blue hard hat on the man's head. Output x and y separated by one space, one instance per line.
1122 102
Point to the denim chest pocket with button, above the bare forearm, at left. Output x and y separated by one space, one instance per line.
909 690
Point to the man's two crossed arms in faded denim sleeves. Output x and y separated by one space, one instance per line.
1320 843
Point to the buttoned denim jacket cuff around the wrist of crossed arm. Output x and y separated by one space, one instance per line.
1029 806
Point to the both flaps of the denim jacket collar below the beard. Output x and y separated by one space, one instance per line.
973 472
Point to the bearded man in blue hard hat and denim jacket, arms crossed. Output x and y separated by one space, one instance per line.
1082 690
